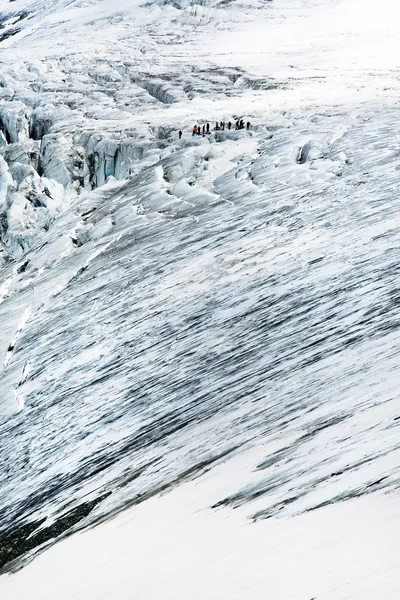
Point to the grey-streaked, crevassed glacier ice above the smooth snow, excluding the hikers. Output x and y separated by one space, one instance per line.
167 304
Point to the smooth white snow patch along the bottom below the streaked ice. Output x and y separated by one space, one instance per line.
174 546
